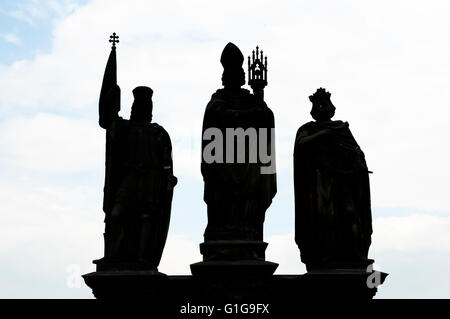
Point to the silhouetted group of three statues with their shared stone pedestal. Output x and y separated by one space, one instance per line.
333 218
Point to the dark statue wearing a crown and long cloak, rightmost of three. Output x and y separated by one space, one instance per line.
332 195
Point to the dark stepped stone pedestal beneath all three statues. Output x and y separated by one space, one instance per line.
232 278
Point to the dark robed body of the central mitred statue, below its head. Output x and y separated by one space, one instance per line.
237 194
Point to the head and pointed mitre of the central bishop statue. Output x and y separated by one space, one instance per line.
233 74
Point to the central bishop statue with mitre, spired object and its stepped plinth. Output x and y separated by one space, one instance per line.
239 185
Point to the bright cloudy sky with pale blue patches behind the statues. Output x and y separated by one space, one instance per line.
385 63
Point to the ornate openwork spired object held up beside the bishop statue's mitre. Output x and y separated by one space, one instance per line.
257 72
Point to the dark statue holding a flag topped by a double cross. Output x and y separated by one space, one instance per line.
139 180
